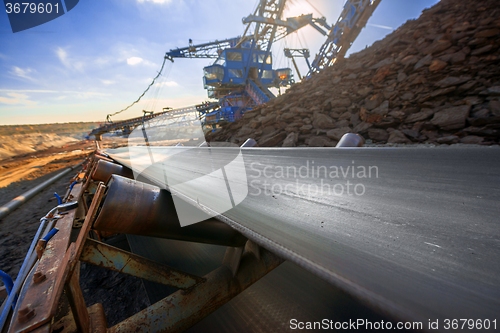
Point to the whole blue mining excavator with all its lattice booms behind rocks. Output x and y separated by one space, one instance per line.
243 72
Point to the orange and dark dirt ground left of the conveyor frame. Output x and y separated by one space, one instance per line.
19 174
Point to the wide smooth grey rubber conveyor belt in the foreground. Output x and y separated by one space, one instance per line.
422 242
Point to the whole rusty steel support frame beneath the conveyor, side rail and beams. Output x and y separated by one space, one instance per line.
58 270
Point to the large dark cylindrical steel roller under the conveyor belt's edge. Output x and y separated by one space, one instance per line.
136 208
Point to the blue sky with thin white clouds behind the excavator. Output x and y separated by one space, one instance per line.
99 57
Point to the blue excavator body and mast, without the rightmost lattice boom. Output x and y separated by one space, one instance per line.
243 72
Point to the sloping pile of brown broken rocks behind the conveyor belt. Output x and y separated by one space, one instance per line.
434 80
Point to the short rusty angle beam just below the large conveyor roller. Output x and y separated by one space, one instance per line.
110 257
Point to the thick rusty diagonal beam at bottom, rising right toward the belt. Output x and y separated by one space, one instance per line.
181 310
